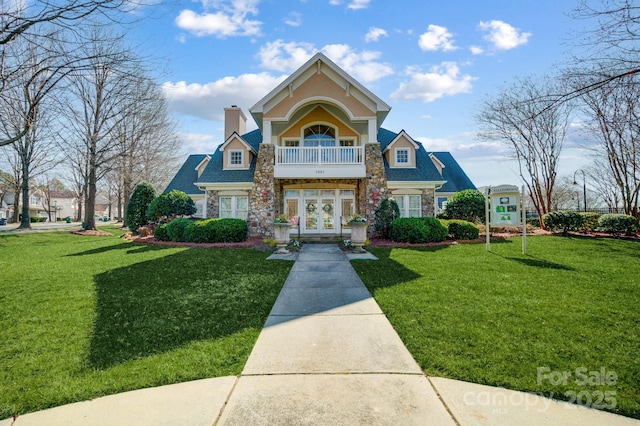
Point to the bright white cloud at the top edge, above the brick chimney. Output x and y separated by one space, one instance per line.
230 19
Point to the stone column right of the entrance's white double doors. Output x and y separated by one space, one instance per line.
376 183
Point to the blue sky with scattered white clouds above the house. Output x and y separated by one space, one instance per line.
432 61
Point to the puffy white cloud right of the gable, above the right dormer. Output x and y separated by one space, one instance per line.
442 80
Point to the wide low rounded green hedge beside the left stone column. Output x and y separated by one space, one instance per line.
217 231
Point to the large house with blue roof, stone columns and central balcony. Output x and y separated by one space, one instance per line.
319 155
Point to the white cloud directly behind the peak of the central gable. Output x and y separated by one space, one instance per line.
287 57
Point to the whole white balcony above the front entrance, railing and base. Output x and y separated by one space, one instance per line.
320 162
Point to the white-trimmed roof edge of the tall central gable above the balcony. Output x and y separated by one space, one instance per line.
382 108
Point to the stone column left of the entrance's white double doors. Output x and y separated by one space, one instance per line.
262 196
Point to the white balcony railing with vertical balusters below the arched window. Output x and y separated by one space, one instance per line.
319 155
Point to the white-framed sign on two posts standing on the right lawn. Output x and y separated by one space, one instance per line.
504 206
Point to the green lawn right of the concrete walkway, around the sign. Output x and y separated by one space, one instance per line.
494 318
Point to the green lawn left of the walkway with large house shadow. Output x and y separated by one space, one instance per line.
83 317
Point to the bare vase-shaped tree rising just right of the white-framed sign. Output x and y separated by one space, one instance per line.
517 116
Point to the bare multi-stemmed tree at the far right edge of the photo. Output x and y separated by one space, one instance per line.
613 113
